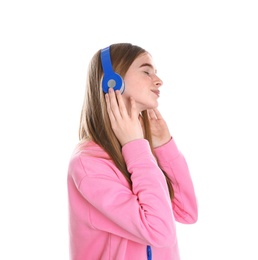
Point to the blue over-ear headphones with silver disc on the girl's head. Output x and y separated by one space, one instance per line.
110 79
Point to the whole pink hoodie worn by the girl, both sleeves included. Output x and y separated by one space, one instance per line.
111 221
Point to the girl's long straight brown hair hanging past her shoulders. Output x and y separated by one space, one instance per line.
94 123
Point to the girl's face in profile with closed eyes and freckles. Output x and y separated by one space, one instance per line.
142 83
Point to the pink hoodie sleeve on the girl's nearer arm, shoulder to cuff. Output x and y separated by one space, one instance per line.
142 213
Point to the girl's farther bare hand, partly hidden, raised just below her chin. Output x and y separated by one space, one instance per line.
159 129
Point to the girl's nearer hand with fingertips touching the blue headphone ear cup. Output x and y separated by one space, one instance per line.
125 124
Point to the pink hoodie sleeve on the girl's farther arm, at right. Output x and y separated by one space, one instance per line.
173 163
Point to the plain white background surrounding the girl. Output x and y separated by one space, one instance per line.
206 54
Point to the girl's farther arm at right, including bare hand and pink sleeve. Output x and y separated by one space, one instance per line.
173 163
